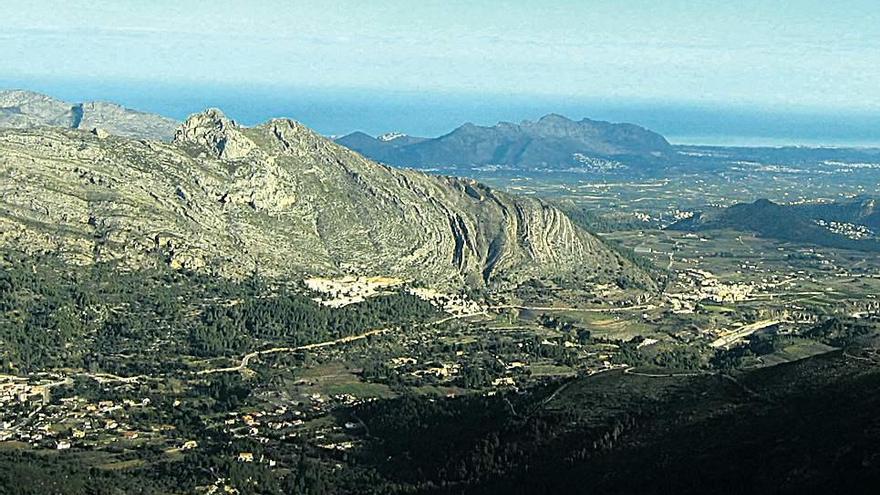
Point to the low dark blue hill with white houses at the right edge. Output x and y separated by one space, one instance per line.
850 224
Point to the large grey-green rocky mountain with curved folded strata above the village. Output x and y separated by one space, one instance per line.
278 197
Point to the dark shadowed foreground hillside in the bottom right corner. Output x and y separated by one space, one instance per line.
804 427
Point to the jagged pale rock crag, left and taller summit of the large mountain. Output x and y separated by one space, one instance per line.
219 135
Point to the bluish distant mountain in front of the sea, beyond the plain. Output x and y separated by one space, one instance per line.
552 142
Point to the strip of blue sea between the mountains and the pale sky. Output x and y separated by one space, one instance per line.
429 113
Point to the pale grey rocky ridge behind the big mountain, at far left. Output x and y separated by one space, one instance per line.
26 109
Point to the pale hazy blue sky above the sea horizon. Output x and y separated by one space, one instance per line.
808 54
